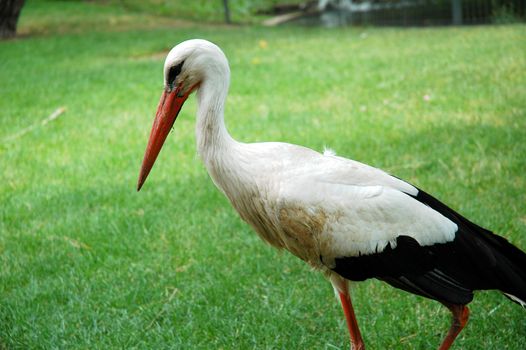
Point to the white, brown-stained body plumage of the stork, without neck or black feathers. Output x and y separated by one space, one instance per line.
361 209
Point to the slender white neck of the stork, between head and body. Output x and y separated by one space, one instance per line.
211 134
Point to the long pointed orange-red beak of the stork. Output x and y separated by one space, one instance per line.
169 107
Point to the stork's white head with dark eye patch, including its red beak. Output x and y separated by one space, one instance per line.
187 66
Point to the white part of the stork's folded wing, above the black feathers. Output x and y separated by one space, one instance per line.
366 208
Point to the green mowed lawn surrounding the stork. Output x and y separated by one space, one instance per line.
86 262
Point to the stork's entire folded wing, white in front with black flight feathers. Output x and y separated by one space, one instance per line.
380 226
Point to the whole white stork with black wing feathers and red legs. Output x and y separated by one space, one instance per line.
347 219
